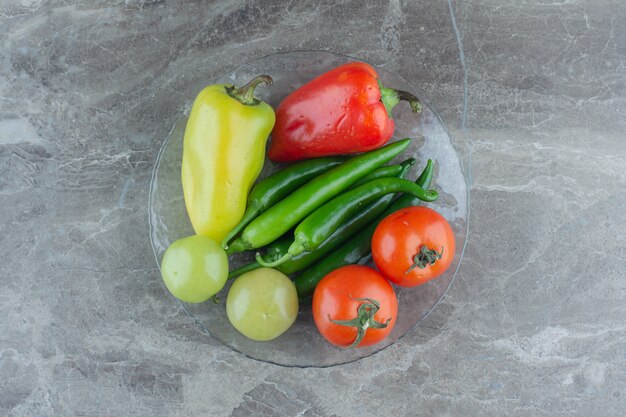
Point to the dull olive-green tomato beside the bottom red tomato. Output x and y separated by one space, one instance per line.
262 304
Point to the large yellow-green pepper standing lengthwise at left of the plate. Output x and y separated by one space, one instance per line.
223 154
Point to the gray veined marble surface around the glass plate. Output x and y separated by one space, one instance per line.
535 323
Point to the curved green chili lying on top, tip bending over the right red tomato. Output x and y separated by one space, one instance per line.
320 224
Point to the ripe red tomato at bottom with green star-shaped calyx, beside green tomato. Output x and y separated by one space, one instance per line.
354 306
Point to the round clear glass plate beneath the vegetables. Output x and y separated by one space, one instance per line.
302 345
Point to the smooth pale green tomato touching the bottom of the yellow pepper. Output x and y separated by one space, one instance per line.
194 268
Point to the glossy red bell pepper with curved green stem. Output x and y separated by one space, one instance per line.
343 111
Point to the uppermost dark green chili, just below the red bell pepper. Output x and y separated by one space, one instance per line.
278 186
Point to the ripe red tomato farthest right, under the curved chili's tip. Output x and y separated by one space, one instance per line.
413 246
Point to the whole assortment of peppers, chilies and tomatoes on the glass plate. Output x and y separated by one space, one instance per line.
313 223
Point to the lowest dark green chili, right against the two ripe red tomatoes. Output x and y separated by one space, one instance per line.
357 247
